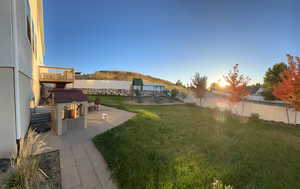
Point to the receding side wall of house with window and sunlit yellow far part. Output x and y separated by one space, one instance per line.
28 41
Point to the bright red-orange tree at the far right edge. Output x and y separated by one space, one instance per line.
288 89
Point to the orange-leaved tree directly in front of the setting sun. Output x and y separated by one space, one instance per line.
237 84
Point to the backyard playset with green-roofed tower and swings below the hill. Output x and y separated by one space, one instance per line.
140 90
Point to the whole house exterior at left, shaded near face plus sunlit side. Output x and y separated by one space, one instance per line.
20 58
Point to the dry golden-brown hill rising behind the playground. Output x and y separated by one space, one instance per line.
127 76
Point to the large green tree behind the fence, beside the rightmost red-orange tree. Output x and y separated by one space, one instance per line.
272 77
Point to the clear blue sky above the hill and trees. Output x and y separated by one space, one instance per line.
171 39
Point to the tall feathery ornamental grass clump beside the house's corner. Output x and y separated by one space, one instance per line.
25 172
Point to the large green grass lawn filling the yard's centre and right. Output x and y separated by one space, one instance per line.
184 147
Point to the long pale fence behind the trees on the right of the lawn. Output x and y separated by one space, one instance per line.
270 112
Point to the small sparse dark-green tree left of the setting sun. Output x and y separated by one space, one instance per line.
198 85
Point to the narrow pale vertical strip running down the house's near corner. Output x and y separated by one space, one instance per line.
16 70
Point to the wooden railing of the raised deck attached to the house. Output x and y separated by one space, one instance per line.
49 74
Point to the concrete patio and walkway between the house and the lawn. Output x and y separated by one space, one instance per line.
82 165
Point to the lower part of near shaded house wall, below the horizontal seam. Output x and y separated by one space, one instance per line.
7 113
